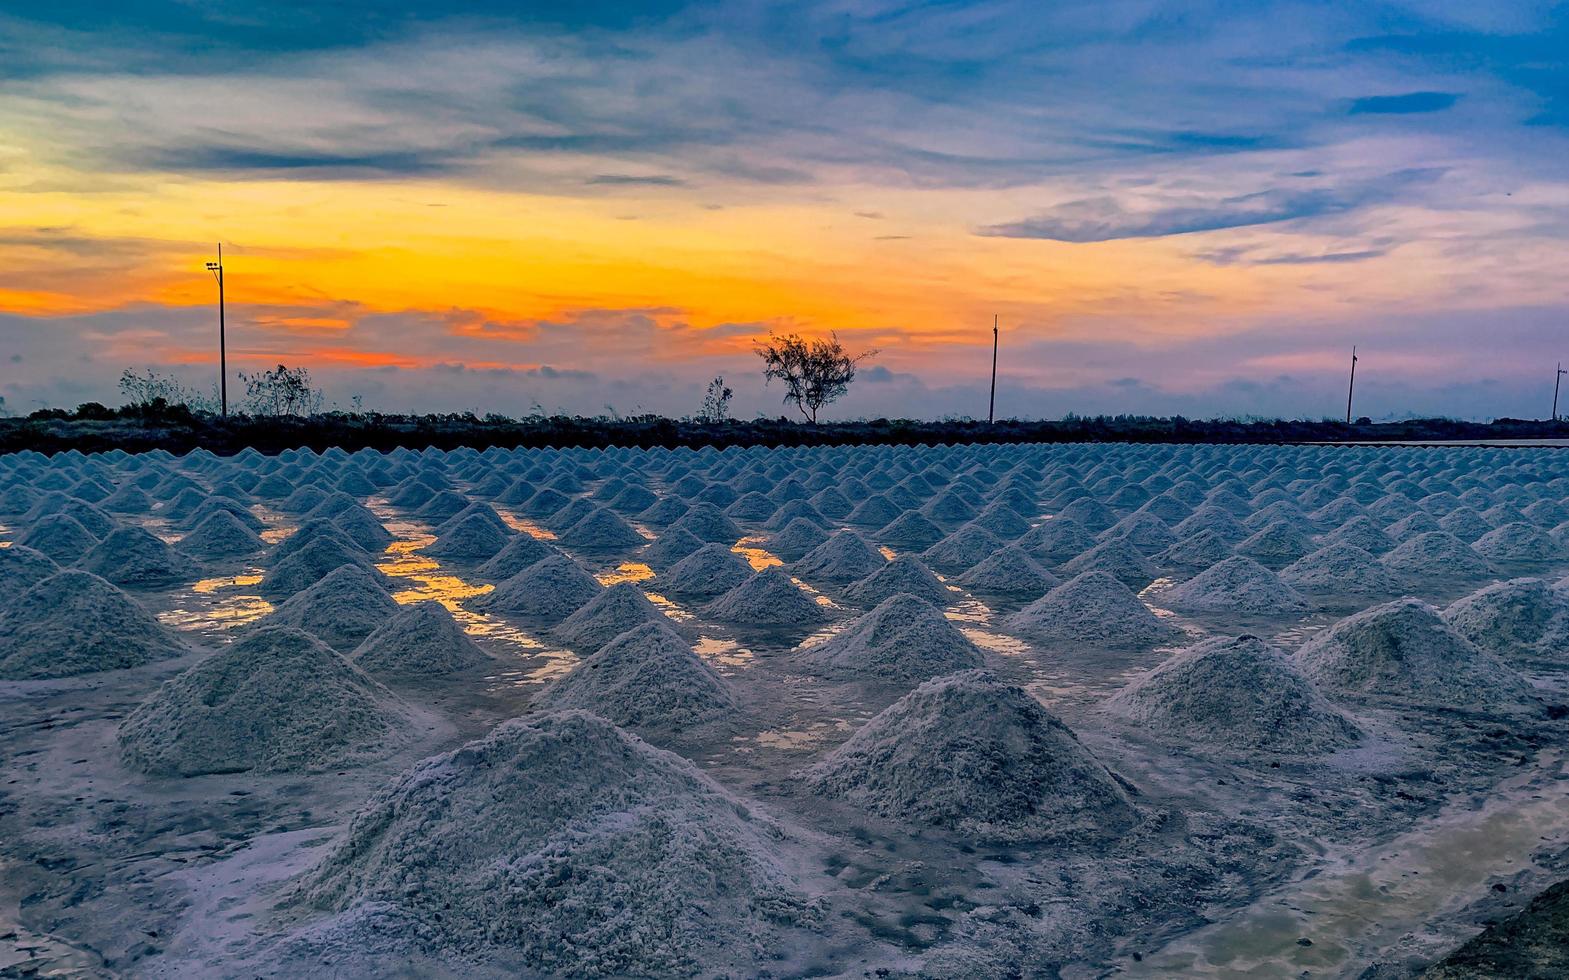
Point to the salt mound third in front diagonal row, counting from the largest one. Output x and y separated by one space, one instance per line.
1236 694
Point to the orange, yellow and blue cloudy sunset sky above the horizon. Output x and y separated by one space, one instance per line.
1174 208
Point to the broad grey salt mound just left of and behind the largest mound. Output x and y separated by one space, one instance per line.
275 702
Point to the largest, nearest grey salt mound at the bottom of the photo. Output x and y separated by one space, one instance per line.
575 849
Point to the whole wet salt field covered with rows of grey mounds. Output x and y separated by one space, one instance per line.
986 711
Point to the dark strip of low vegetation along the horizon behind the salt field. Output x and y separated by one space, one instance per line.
181 430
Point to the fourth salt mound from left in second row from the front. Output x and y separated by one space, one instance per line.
1094 609
